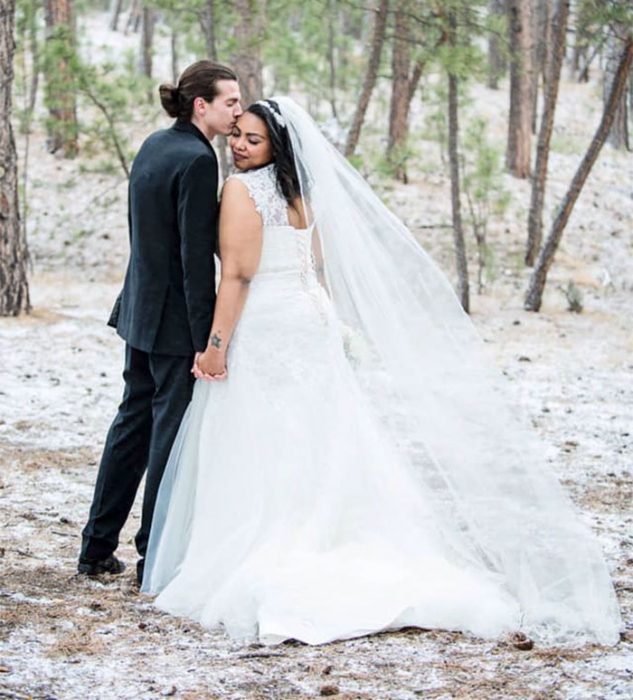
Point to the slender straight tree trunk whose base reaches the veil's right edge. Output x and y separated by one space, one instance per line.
453 155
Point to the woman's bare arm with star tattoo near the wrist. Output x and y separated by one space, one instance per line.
240 251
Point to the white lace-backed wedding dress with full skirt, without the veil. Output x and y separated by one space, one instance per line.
287 509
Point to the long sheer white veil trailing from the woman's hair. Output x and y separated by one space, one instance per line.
421 363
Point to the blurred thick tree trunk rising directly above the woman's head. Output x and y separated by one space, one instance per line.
247 60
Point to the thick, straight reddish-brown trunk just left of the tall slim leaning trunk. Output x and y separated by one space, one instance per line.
520 117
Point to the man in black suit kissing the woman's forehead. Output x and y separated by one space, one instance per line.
165 310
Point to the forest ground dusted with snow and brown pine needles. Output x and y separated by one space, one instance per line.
67 637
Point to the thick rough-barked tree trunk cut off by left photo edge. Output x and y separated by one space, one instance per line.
14 289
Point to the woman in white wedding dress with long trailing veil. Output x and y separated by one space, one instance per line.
354 465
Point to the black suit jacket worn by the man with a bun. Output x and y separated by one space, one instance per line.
166 305
